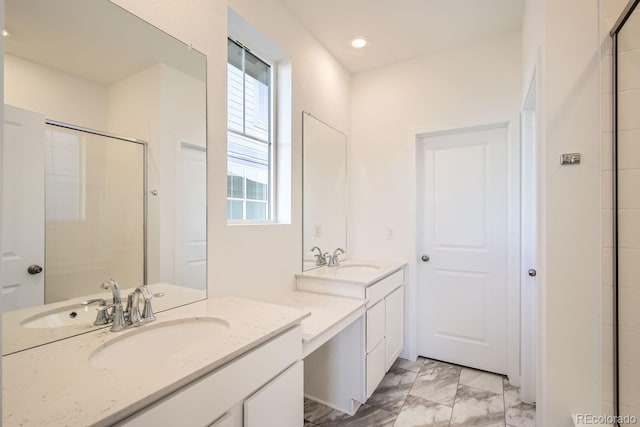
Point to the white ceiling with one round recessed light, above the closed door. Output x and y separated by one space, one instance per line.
398 30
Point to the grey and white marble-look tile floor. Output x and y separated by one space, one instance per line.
429 393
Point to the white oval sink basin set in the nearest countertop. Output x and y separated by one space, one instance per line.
180 339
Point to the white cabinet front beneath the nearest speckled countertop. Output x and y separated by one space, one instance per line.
263 387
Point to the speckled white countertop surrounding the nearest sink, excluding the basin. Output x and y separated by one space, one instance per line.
55 384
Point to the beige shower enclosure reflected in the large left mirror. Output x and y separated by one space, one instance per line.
94 211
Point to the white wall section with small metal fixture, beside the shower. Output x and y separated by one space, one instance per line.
565 33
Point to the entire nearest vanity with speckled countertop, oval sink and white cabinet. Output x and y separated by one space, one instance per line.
222 362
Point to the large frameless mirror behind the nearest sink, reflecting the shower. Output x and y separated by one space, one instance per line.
104 166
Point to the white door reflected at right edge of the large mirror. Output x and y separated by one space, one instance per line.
193 217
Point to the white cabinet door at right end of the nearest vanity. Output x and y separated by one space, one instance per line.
279 403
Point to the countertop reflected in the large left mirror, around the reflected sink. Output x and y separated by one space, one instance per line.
16 337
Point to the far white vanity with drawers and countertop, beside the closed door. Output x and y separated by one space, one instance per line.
380 285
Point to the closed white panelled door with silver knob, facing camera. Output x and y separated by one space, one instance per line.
463 285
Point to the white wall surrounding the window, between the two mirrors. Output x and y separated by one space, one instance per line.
253 260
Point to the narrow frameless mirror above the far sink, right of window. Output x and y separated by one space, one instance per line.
324 190
